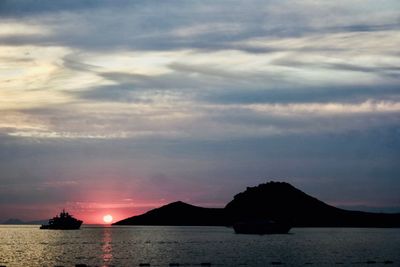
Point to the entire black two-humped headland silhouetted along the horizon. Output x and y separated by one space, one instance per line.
274 200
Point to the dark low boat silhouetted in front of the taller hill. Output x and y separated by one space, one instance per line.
261 227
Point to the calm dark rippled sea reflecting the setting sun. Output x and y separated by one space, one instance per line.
190 246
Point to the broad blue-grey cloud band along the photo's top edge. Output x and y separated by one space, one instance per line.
156 25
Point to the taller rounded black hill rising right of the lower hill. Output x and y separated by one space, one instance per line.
282 201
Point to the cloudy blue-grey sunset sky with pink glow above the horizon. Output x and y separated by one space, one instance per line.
118 107
